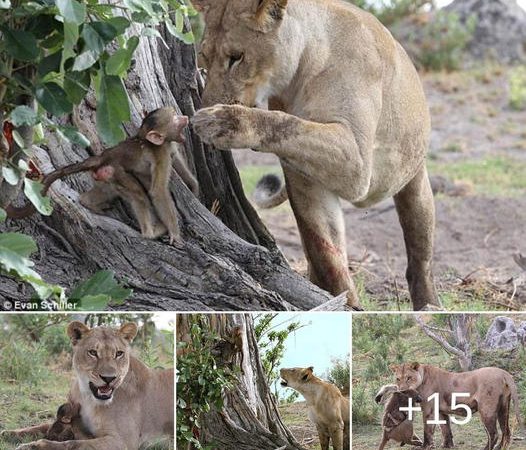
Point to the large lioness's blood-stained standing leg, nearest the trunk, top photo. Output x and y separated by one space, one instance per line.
320 221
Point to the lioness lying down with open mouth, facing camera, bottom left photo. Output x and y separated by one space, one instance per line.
123 403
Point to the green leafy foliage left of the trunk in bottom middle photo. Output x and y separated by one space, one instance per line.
200 382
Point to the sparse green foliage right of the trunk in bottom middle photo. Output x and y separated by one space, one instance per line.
271 344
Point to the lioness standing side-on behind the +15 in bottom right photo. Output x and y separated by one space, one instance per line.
490 392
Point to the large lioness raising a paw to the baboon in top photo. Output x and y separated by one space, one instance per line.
348 119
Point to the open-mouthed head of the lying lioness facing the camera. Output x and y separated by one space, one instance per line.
101 357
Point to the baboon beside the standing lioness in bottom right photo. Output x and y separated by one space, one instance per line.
395 423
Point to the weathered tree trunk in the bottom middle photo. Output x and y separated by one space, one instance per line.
249 418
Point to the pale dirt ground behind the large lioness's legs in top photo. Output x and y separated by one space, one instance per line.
476 139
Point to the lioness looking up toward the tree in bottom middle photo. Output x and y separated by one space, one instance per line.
328 409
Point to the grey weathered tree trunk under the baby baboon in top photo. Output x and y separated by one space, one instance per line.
228 261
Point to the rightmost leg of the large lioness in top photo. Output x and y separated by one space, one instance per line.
416 211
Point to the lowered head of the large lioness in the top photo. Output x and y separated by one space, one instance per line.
240 49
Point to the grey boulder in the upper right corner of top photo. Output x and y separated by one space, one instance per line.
501 28
